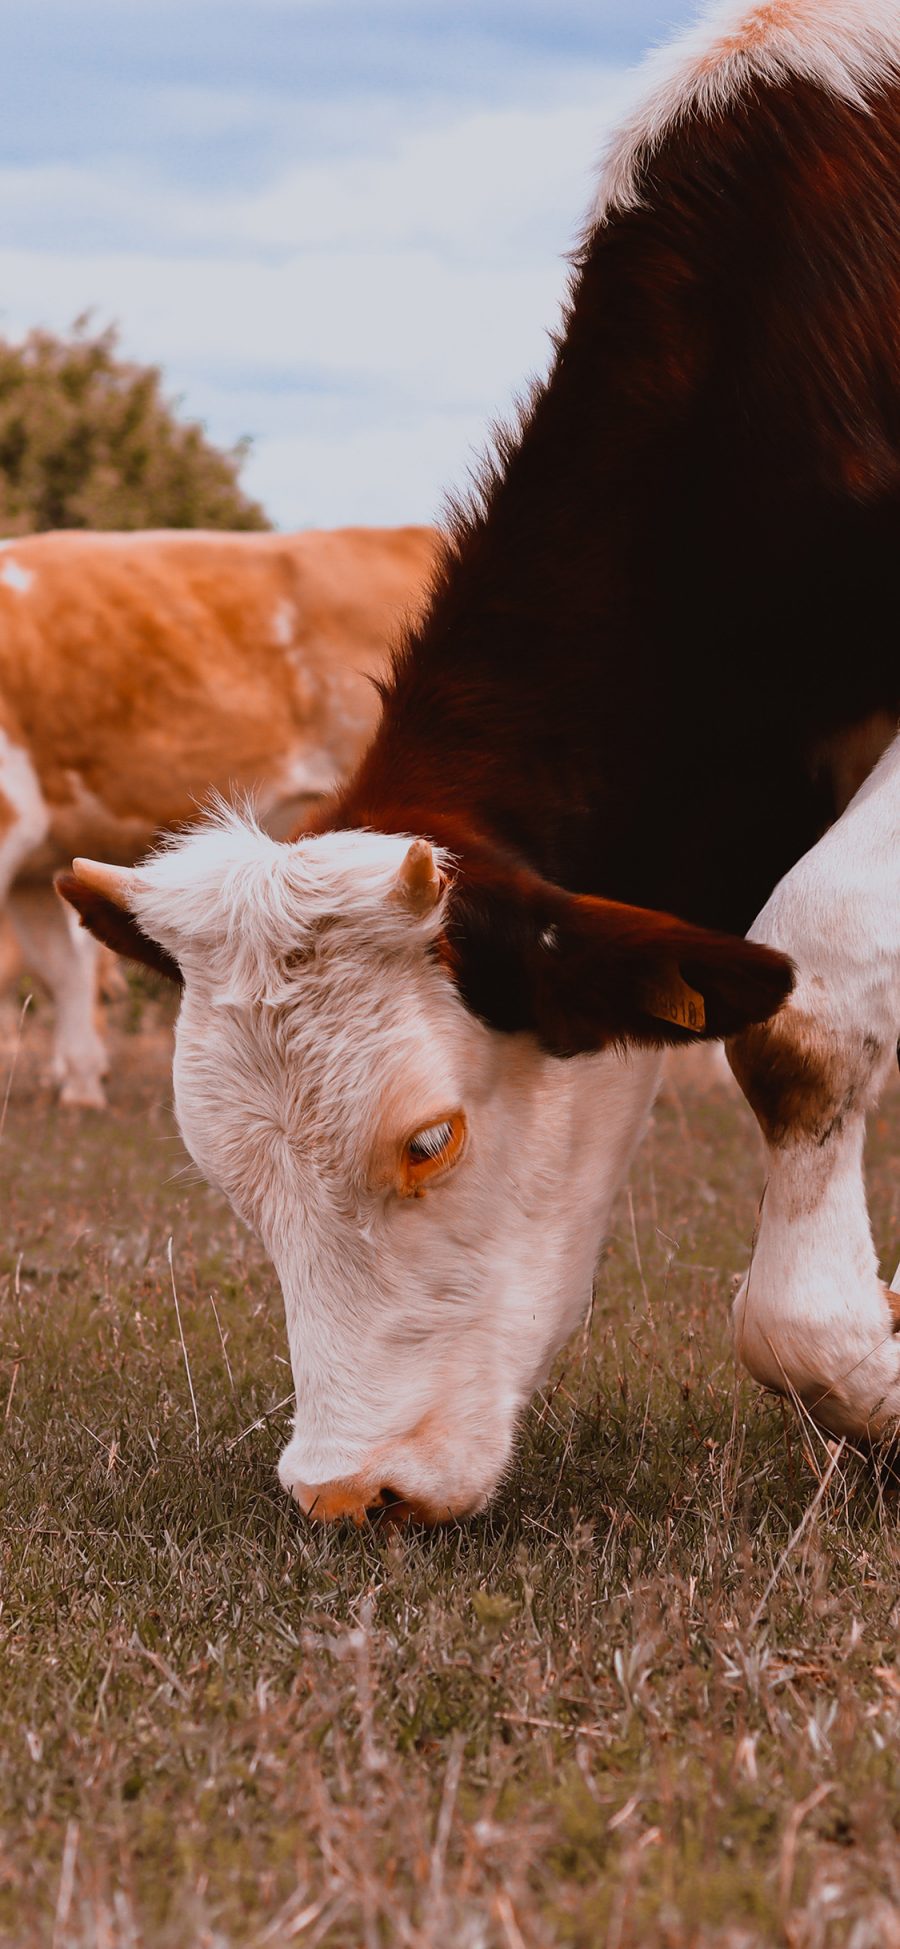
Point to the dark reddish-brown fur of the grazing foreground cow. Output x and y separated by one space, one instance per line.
671 595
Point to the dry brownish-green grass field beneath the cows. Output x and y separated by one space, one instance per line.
652 1699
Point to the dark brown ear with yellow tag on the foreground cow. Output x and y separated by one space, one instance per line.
583 974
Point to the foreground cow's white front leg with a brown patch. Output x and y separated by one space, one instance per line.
813 1317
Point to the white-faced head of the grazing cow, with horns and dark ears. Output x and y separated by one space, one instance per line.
420 1081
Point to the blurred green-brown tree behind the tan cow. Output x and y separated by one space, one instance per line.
89 441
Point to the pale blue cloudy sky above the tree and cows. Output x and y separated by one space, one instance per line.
340 227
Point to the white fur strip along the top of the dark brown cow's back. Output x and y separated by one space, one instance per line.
848 48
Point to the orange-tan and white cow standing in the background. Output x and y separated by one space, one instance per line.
137 671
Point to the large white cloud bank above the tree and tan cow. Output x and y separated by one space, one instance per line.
363 317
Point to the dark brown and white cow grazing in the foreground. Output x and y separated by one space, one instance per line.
418 1046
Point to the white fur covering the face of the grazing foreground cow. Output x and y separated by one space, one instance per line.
317 1034
